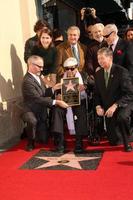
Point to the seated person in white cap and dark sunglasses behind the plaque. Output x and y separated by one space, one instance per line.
76 115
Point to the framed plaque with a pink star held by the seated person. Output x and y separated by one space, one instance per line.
69 91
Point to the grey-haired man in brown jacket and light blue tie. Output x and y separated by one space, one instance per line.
71 48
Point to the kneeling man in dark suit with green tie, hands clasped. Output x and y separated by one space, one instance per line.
113 97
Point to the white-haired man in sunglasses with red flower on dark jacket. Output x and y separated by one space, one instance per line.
122 50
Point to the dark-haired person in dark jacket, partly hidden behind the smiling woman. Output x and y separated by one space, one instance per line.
31 42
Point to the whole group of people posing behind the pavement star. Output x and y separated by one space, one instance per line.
91 52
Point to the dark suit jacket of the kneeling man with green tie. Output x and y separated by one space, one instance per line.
119 89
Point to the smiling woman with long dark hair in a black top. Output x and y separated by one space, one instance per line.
45 48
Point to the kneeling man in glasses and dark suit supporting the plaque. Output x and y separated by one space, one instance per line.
36 99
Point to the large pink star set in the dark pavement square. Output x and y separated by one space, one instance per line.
68 159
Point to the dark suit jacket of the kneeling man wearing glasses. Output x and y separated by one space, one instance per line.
35 96
